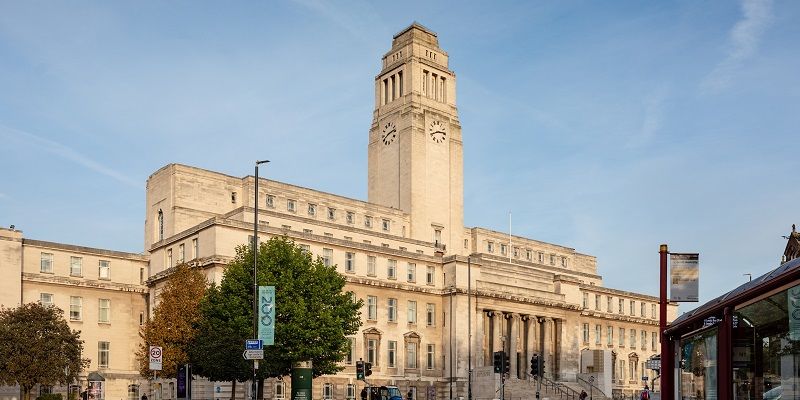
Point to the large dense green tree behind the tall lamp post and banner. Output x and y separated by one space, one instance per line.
313 314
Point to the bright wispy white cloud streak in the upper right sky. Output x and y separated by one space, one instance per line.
744 40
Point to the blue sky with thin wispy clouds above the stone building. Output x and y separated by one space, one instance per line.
610 127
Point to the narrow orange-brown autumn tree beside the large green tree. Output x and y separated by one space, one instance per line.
172 325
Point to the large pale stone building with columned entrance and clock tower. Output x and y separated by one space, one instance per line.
439 297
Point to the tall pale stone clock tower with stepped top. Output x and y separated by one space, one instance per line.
415 148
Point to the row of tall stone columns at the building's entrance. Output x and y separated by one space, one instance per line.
520 336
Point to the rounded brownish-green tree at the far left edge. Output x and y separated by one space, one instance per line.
38 347
